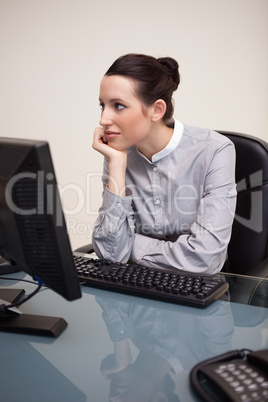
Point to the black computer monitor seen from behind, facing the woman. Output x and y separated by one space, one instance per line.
33 234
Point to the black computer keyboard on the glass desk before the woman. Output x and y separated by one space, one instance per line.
166 285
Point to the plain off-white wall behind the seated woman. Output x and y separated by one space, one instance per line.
53 54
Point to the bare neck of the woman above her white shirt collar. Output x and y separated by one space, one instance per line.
157 140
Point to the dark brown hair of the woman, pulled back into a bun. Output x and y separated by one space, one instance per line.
155 78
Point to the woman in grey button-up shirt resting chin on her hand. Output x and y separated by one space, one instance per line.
169 189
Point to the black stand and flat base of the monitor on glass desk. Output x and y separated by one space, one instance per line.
28 323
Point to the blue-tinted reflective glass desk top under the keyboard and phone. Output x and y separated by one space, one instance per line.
156 344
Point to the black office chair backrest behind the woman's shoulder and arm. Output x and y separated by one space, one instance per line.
249 241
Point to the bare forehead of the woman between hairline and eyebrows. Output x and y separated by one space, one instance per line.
117 87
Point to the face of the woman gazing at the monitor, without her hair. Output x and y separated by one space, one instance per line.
124 118
